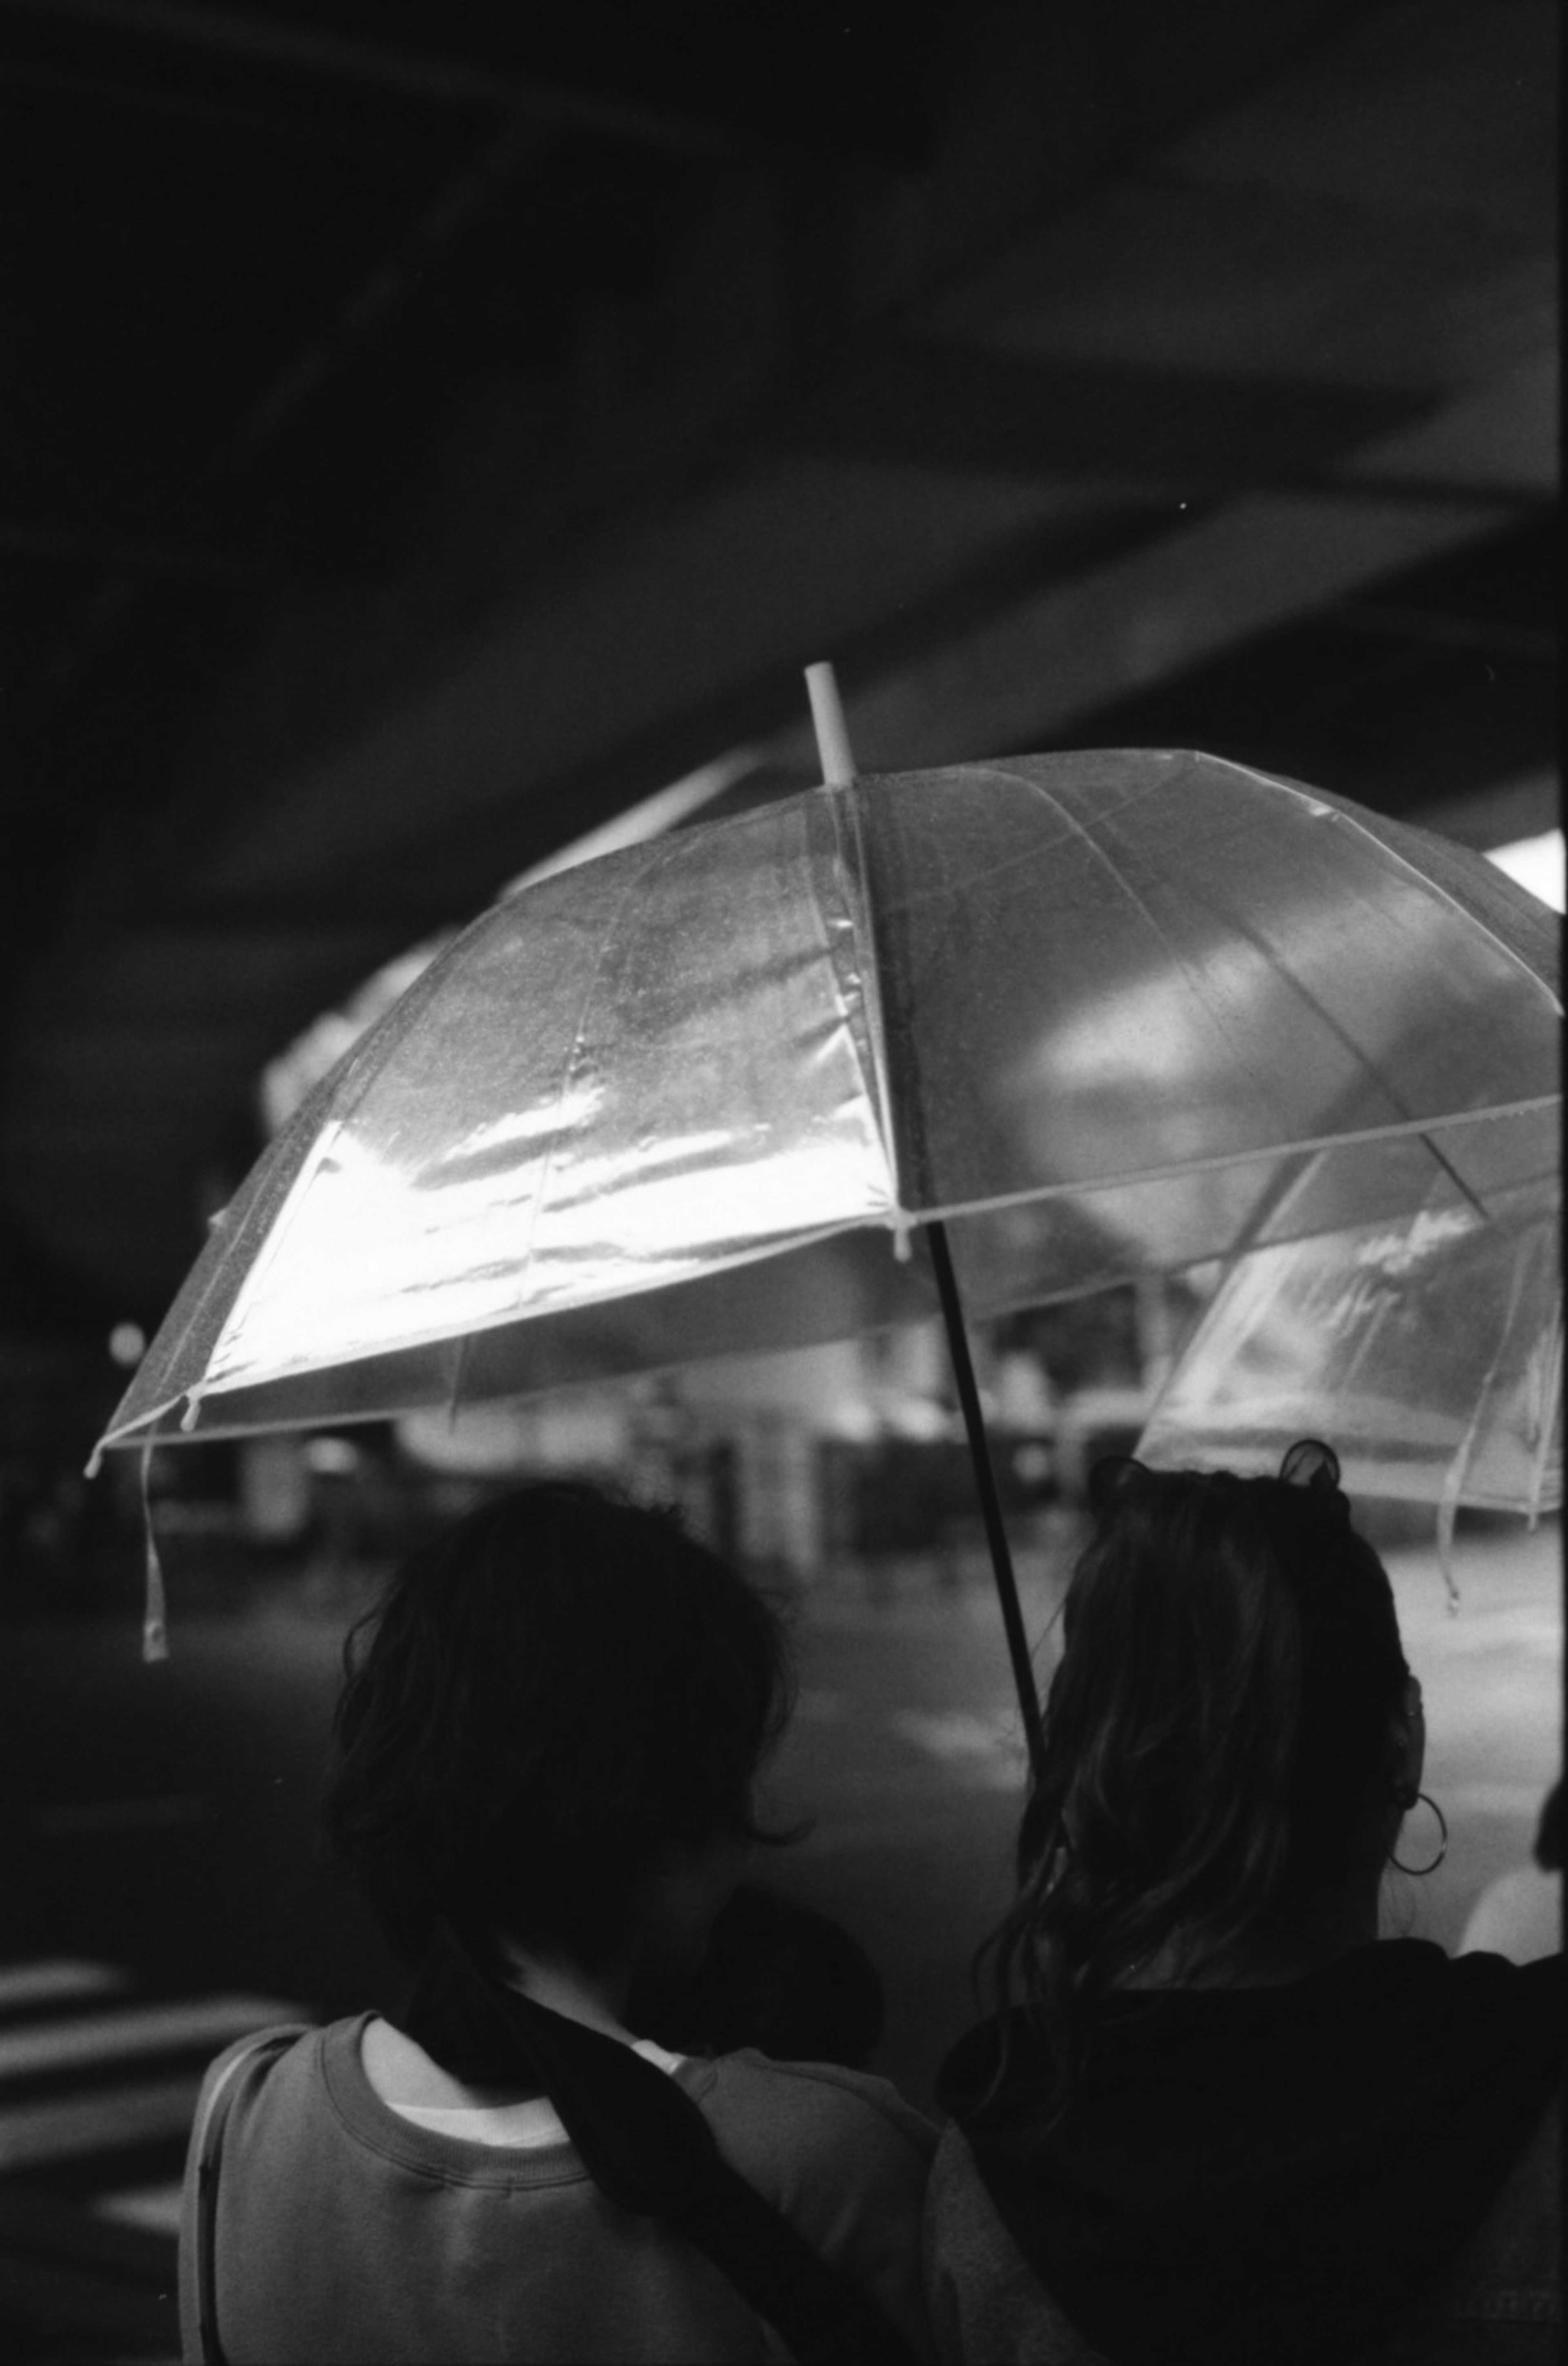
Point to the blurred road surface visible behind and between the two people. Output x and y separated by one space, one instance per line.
162 1882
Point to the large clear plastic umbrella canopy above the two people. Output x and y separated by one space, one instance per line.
1106 1014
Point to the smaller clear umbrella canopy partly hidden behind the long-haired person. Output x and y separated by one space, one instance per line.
1430 1352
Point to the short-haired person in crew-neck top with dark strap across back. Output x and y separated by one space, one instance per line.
543 1780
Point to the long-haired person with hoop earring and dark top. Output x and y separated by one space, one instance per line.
1214 2116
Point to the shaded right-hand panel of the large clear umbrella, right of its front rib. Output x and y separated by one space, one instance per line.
1122 967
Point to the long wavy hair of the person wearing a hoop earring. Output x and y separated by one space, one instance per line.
1217 1735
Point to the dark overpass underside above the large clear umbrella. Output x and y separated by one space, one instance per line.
434 429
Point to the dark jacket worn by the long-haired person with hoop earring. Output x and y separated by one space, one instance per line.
1278 2176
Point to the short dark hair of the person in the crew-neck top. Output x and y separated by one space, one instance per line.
547 1695
